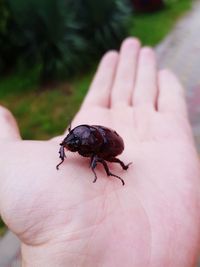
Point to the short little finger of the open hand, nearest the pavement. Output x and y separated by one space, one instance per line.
171 94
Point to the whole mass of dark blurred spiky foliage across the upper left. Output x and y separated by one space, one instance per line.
62 36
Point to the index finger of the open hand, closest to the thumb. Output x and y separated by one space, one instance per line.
99 93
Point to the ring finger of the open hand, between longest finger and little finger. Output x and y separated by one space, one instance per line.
145 91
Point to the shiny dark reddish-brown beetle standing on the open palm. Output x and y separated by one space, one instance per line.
99 143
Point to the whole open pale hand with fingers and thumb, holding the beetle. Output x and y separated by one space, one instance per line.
64 219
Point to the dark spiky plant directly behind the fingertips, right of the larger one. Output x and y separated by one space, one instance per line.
103 23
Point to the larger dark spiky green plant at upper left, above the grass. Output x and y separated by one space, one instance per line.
45 33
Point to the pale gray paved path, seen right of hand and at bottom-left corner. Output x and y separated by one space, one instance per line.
180 51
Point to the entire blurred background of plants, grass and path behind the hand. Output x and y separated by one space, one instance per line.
49 50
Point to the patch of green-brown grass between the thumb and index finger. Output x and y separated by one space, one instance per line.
42 113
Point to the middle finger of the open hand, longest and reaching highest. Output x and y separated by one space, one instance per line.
125 74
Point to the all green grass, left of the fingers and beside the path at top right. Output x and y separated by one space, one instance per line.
41 113
